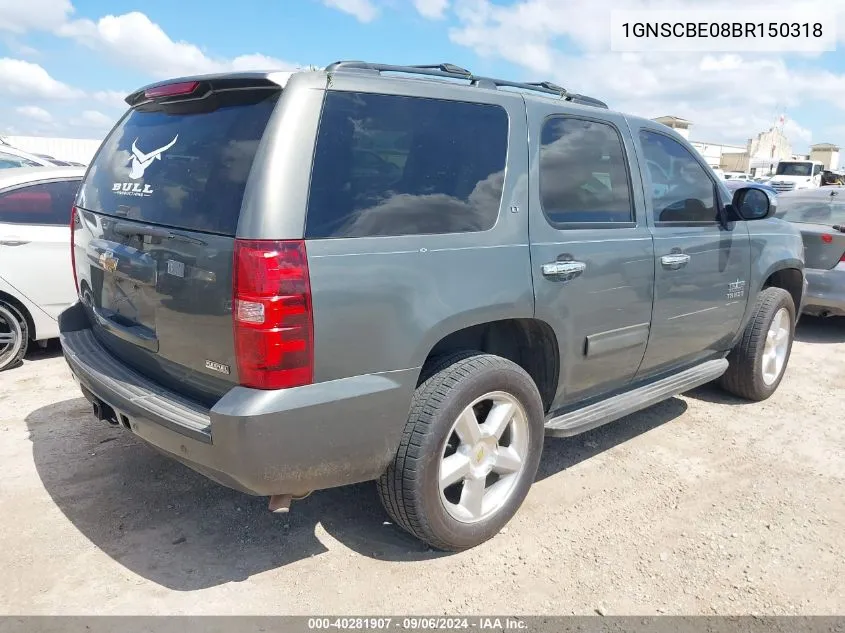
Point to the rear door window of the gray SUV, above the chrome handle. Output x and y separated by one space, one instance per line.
583 173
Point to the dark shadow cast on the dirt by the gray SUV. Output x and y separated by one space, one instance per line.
176 528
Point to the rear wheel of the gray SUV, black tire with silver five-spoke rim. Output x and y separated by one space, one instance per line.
491 476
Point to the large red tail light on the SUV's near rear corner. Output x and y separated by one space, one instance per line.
272 314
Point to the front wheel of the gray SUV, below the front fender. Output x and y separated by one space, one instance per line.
749 375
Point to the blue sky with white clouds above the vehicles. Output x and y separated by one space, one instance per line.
66 65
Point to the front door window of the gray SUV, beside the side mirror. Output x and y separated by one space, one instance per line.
679 187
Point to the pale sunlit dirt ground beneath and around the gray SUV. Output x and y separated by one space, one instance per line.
700 505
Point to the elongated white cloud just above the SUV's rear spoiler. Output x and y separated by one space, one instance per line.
136 41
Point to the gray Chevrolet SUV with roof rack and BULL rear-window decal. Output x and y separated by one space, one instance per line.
291 282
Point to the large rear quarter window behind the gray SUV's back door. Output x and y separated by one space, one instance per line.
388 165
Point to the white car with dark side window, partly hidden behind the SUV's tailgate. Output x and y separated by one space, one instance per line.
36 278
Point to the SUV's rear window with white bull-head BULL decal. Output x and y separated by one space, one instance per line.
183 165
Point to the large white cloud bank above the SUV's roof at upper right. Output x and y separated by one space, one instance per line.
729 97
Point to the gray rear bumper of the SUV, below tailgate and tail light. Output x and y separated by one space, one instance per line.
288 441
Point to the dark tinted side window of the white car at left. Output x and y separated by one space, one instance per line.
48 203
